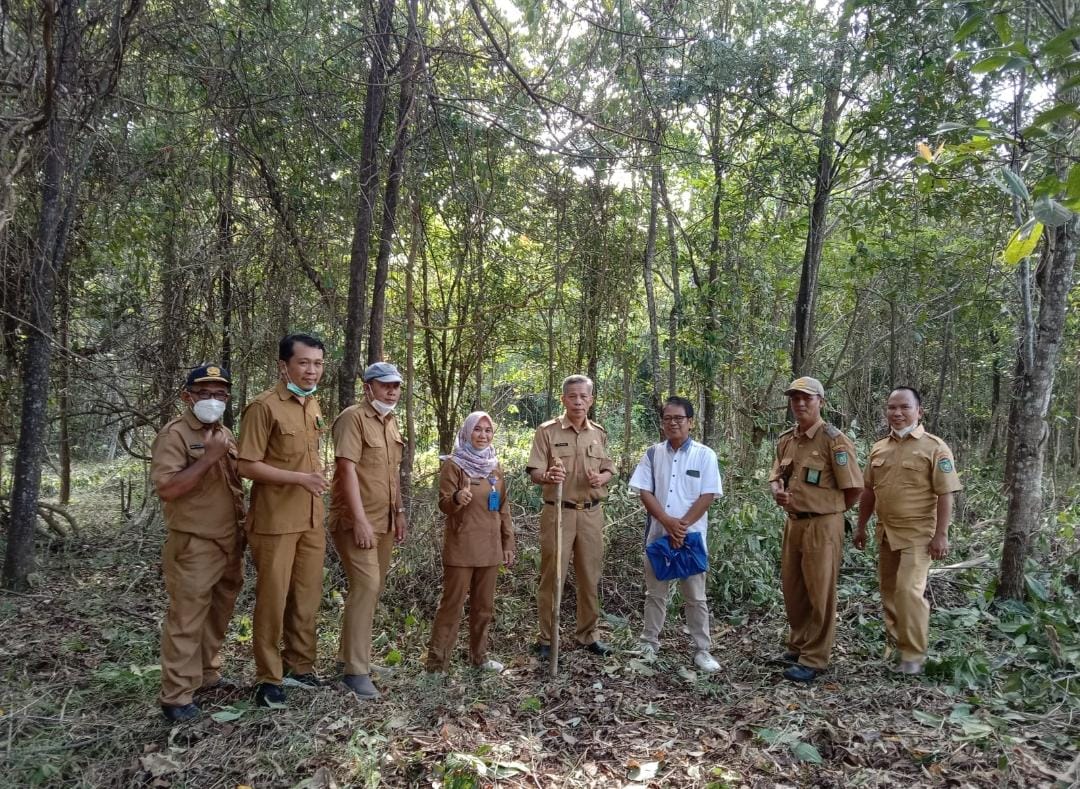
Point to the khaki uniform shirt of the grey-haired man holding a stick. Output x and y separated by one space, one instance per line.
582 452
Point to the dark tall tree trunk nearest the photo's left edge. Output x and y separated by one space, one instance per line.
60 23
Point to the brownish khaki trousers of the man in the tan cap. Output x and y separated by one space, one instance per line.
811 564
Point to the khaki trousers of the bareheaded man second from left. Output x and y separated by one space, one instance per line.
289 589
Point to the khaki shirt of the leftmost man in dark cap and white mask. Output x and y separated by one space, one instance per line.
214 509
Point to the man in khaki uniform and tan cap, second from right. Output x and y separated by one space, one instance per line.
816 480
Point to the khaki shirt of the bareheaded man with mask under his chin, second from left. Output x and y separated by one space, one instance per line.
281 432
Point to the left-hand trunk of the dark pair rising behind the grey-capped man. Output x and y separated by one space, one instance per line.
369 181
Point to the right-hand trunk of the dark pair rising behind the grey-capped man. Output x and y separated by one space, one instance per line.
397 169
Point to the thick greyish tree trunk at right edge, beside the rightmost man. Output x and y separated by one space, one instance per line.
1033 388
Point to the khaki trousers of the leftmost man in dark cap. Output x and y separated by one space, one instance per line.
204 578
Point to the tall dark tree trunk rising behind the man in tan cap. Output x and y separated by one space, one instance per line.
803 347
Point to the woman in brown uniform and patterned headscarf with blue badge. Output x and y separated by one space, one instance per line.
479 538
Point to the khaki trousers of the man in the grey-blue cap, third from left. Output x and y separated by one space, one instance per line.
367 569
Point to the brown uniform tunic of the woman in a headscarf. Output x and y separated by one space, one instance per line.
476 536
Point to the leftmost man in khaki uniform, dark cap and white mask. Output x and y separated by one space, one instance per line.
194 469
